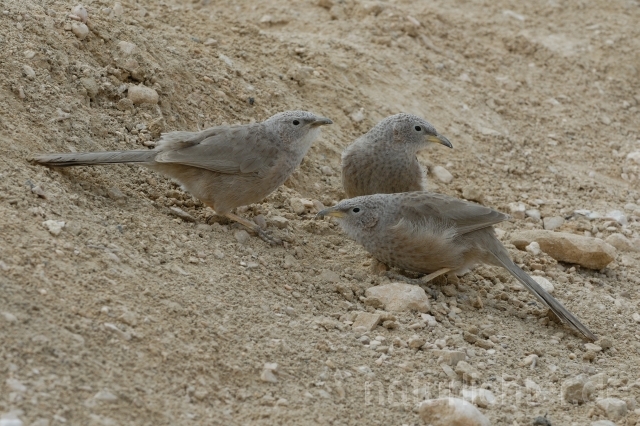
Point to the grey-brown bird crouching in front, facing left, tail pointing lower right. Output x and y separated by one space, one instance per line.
434 234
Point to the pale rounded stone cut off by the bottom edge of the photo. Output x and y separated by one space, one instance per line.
451 411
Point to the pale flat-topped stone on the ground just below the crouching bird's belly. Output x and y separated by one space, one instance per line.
400 297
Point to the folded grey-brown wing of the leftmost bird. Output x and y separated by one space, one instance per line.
223 149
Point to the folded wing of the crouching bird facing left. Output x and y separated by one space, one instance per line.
467 217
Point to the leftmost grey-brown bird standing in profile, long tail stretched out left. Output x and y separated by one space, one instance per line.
223 166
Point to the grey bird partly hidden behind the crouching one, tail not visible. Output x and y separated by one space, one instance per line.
383 161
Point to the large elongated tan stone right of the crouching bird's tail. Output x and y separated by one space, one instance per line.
589 252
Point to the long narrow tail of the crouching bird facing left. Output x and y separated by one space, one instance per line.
530 284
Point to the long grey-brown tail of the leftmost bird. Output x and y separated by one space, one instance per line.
94 158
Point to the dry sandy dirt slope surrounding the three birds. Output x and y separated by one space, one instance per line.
131 315
